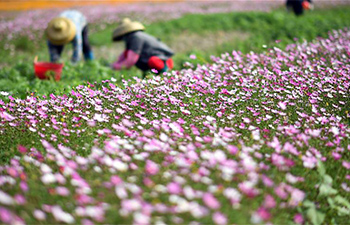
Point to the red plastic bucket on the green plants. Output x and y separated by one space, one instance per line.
43 70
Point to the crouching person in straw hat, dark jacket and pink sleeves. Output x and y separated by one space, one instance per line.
142 50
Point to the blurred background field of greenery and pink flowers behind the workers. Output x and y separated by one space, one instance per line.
195 30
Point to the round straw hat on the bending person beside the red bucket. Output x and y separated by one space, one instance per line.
60 31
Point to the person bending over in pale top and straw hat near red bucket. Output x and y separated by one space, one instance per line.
69 27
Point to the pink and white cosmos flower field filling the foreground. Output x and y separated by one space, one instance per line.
250 138
